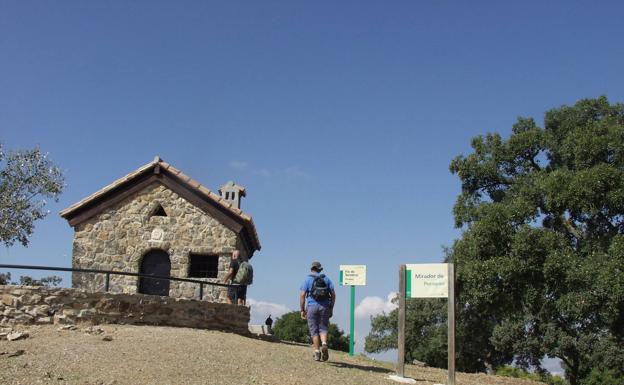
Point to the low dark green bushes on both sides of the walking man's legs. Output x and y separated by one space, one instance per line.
290 327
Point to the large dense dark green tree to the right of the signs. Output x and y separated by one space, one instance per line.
542 249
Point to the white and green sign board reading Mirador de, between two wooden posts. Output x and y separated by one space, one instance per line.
427 280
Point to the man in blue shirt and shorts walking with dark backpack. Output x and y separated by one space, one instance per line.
317 298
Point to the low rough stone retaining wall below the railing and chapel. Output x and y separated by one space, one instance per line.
37 305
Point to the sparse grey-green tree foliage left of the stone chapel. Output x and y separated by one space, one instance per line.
26 178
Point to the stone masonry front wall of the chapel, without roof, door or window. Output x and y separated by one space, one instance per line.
119 237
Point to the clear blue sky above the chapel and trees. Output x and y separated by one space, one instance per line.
340 118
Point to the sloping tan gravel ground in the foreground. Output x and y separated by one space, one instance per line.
164 355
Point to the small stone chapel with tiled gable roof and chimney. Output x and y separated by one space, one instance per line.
157 220
